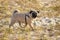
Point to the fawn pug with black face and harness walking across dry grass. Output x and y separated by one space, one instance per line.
23 18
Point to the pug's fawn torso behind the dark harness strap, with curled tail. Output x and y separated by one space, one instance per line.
20 17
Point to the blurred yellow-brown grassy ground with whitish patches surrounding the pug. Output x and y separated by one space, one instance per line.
46 25
